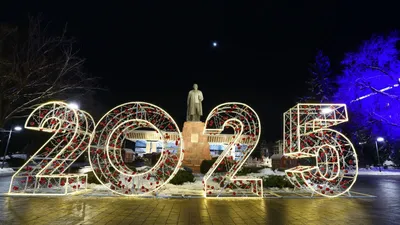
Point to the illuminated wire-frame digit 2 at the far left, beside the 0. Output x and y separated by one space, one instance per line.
44 172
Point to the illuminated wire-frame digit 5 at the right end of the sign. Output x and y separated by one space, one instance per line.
307 135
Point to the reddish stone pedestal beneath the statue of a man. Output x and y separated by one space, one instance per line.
195 144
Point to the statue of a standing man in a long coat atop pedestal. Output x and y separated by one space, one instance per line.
194 107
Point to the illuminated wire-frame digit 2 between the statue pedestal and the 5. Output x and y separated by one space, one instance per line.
221 179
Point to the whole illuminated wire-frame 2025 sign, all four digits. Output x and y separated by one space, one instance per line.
74 133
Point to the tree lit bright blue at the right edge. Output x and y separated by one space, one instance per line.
369 85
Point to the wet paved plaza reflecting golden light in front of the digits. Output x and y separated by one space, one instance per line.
121 210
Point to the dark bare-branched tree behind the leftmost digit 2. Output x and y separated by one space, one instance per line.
36 67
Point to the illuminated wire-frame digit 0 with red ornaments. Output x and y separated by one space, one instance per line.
105 151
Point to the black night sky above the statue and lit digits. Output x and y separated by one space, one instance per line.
154 52
